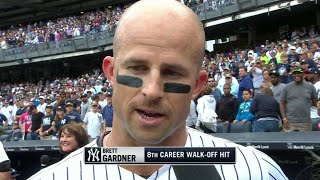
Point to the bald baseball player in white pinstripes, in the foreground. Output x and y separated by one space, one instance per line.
155 73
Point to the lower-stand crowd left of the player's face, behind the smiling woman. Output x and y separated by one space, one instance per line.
38 111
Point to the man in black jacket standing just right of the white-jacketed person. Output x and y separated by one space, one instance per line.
227 106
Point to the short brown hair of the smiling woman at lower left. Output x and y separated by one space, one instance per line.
77 130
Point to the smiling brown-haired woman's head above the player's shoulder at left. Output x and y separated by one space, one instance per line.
72 136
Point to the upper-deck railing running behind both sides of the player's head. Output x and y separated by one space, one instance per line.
206 11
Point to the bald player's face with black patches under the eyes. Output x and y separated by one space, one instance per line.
151 114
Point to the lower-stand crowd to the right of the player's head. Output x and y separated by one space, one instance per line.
269 88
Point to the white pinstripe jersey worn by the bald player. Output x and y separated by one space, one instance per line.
250 164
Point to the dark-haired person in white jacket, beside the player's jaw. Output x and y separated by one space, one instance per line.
206 108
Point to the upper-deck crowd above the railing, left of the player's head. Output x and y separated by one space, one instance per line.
103 19
